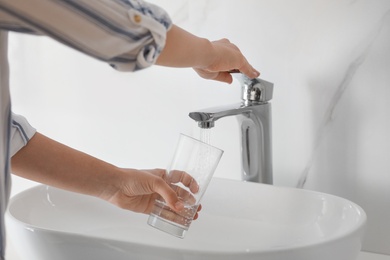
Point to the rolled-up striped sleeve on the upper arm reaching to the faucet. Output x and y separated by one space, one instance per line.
127 34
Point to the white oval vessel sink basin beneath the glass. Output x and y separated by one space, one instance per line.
239 220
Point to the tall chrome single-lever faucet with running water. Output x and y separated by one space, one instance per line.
254 118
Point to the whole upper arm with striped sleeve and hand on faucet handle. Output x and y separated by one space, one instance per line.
129 35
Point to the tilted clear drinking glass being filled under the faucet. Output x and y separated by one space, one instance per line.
189 174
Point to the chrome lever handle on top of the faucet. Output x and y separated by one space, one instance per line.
255 90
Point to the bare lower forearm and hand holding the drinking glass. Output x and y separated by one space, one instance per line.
49 162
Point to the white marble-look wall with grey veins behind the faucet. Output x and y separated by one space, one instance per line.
329 61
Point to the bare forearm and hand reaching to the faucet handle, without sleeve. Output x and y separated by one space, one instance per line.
211 60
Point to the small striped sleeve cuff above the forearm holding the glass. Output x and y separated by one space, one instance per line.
21 133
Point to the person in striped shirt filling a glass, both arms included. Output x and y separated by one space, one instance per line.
127 34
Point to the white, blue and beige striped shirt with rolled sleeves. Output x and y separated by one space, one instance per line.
127 34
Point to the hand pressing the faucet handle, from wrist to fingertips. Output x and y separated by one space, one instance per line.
225 58
